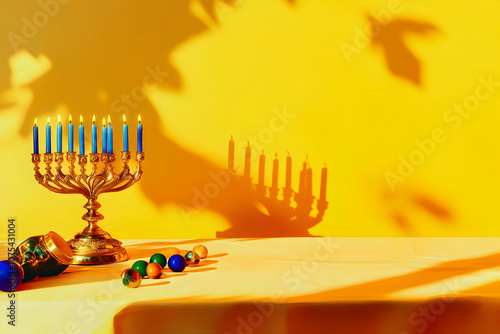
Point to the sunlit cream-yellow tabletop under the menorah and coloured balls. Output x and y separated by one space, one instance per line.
265 272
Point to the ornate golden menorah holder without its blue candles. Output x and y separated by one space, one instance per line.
93 245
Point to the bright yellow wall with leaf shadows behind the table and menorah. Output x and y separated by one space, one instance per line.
228 74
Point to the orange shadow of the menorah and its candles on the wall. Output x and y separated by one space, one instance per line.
285 212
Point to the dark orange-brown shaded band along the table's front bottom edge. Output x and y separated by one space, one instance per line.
459 316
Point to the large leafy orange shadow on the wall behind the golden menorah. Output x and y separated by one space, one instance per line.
84 80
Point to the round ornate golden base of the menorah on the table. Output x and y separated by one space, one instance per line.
97 249
